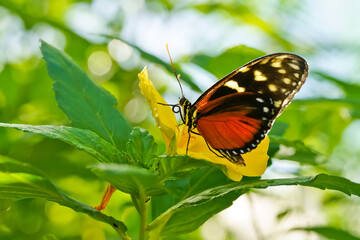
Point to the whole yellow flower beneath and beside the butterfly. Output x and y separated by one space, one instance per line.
176 138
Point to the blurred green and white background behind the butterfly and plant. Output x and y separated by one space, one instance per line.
324 115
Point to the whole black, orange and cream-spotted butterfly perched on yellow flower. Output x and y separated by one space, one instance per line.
236 113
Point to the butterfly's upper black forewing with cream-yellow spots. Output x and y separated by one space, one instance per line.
279 76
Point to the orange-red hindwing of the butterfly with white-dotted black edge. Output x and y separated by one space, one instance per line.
236 123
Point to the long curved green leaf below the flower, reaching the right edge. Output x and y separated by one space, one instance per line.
197 208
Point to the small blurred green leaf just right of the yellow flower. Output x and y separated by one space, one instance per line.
298 151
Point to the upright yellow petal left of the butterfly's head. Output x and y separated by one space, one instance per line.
163 115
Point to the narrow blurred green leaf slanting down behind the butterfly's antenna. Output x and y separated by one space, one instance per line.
153 59
